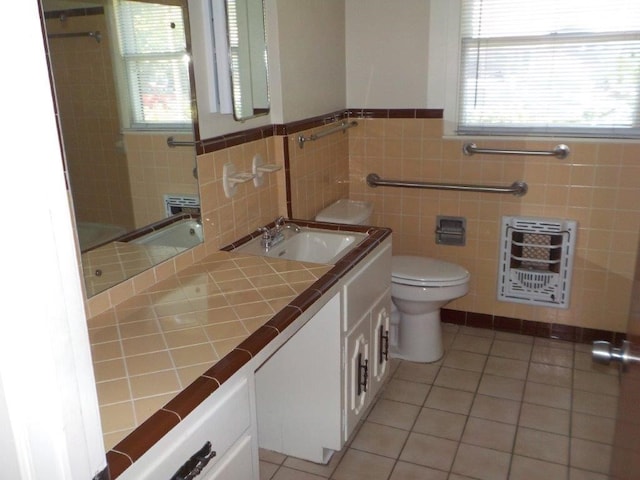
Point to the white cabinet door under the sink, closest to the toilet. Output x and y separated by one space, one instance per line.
380 324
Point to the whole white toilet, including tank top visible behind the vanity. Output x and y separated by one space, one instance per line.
420 286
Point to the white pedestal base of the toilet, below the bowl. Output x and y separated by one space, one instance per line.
420 338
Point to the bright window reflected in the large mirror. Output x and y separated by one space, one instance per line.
154 65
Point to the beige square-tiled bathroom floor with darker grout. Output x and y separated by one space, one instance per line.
497 406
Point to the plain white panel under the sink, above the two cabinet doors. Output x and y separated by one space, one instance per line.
368 284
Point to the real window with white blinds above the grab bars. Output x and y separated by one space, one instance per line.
550 67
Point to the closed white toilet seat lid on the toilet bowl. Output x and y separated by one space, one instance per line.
426 272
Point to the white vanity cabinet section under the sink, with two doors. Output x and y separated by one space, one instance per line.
311 393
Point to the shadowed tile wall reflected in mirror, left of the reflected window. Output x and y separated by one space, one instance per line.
87 105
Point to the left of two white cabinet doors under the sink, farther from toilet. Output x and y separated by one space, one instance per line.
358 377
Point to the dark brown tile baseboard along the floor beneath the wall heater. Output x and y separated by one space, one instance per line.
553 331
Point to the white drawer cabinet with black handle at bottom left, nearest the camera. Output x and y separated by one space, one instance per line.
223 423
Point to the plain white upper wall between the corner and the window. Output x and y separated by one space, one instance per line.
386 53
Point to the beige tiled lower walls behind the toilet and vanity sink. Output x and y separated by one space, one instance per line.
597 186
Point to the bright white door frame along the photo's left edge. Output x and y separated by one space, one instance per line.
48 405
